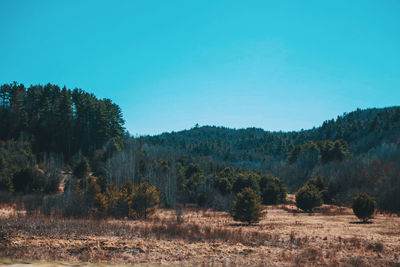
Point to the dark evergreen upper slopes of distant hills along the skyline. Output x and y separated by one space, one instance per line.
253 147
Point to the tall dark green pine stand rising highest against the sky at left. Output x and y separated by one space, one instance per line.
59 120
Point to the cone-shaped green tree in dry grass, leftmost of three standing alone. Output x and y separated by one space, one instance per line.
247 206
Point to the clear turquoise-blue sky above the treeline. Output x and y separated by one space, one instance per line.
277 65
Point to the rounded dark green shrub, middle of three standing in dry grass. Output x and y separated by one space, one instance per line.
308 197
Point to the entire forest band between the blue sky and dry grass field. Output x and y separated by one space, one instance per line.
66 152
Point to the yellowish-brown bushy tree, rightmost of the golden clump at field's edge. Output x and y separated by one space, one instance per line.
145 200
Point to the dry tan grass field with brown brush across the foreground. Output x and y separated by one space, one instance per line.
285 237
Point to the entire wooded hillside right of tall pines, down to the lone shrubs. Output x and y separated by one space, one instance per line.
356 151
